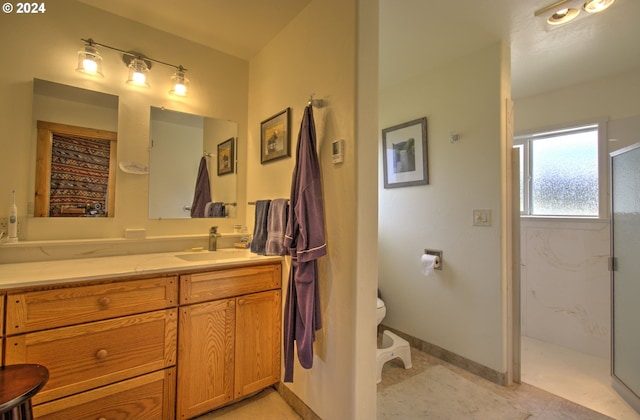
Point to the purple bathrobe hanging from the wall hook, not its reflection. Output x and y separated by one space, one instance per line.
305 239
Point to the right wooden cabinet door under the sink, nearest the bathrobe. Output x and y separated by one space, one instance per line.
257 342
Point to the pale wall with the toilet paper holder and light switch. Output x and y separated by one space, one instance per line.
462 307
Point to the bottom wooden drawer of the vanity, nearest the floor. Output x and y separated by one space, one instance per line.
149 397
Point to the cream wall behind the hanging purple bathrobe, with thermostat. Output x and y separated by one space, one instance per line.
316 53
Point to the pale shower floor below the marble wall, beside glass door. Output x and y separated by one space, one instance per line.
576 376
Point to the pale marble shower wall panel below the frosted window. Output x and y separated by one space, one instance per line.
566 295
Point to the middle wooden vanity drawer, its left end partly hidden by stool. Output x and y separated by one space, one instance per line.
87 356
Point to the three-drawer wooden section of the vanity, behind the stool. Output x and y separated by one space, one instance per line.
110 347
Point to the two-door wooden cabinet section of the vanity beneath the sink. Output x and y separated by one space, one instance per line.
229 341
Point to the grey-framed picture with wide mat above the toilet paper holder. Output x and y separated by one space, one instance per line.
404 154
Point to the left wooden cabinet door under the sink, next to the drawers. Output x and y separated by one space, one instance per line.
205 357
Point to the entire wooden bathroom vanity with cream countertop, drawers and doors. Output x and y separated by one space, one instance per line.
154 336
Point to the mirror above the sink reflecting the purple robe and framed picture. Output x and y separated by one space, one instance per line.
179 142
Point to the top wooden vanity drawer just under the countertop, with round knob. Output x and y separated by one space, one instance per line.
38 310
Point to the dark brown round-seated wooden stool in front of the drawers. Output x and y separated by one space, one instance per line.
18 383
